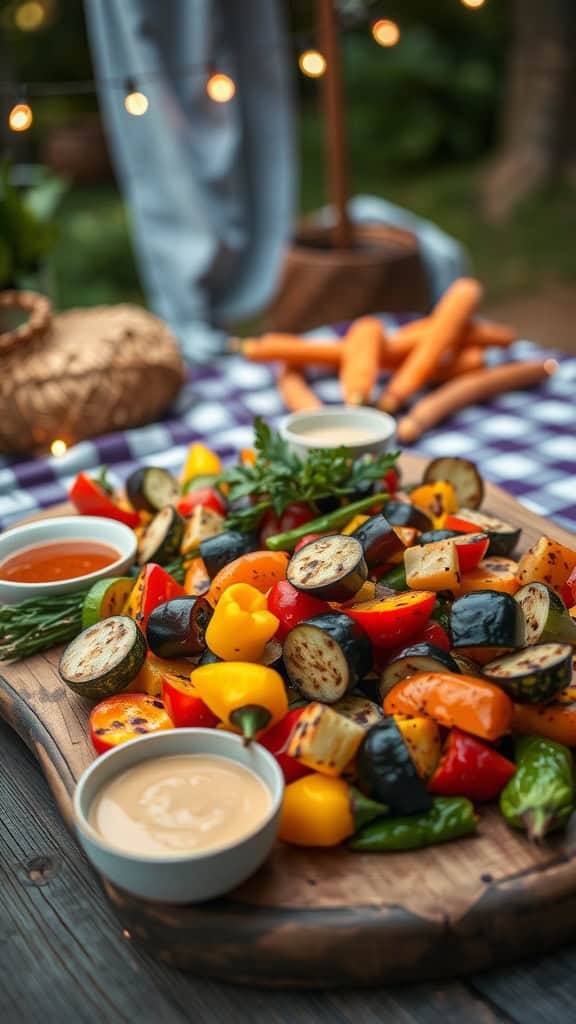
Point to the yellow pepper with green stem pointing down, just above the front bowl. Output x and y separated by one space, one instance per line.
249 697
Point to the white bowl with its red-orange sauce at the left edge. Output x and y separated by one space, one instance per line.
62 554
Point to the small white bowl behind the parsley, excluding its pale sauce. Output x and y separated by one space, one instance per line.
382 426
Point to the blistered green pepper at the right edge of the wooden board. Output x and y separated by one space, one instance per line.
540 798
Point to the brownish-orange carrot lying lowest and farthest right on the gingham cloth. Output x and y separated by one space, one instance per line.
469 391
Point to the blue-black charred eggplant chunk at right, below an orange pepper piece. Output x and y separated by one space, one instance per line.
487 619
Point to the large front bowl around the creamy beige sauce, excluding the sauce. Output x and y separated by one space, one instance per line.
196 877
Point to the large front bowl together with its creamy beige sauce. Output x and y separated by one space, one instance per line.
181 817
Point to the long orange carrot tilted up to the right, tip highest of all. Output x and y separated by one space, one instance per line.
447 325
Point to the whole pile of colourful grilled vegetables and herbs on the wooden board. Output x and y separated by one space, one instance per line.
383 650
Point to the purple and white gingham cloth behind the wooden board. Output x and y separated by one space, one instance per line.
525 441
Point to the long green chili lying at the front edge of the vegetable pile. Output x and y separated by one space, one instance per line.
449 818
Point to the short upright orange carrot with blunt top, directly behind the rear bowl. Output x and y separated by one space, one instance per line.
361 359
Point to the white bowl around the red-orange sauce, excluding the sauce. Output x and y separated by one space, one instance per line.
69 528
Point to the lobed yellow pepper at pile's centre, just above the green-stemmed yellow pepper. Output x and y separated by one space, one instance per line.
241 626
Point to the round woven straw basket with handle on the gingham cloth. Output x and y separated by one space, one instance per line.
87 373
